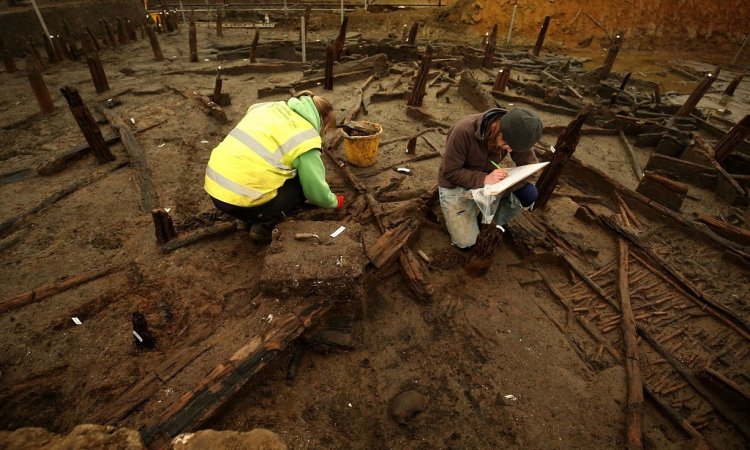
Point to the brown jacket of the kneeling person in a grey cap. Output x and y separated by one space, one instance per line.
467 157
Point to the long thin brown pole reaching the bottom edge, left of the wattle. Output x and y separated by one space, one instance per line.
634 409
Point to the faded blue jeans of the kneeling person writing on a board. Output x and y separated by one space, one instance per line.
461 212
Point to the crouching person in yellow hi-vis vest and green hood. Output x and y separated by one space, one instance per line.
270 163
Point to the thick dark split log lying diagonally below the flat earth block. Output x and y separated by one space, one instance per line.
225 380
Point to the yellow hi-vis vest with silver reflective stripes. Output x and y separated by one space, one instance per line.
255 159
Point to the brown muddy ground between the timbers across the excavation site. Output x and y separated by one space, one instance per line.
496 358
